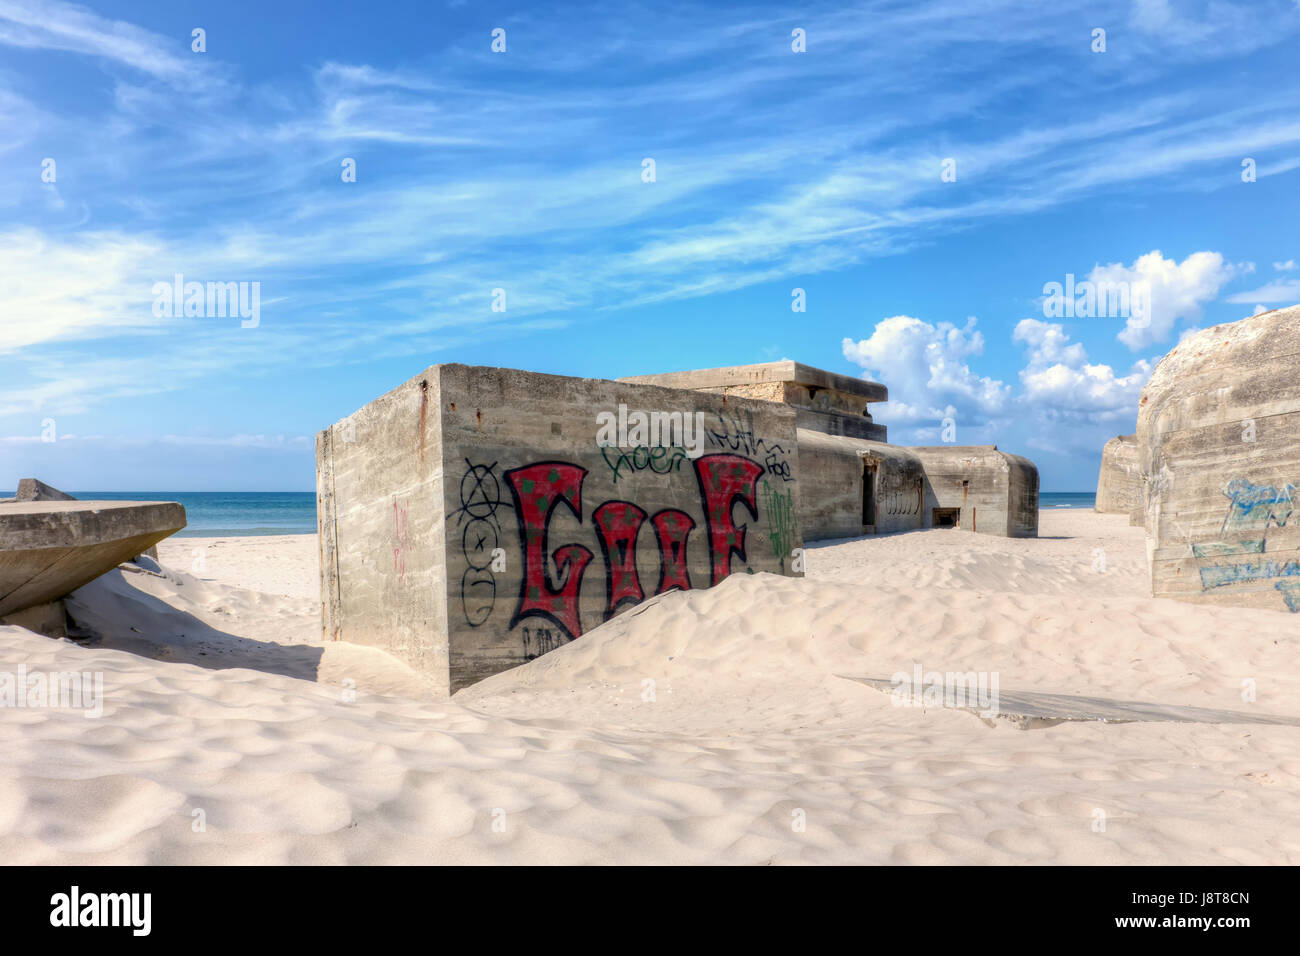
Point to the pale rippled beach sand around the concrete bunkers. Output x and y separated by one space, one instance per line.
748 730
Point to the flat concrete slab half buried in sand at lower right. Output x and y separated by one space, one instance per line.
1034 710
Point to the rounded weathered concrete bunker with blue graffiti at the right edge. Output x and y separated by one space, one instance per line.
1219 436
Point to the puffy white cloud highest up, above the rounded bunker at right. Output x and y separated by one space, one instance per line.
1177 291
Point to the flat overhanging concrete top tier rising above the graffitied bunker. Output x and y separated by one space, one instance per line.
824 401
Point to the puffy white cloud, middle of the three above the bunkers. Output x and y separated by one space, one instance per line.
1061 383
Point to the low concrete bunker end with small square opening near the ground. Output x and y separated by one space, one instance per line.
994 492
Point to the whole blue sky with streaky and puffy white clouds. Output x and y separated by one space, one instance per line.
523 171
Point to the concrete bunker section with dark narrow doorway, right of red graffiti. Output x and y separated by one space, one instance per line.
831 487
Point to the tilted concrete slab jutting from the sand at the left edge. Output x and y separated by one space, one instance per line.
53 544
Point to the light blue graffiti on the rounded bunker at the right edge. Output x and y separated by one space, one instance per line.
1240 557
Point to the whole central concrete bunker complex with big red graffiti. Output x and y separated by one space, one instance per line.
476 518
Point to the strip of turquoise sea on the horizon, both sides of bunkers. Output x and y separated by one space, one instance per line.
239 514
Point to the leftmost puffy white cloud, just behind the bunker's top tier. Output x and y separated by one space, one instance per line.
928 373
